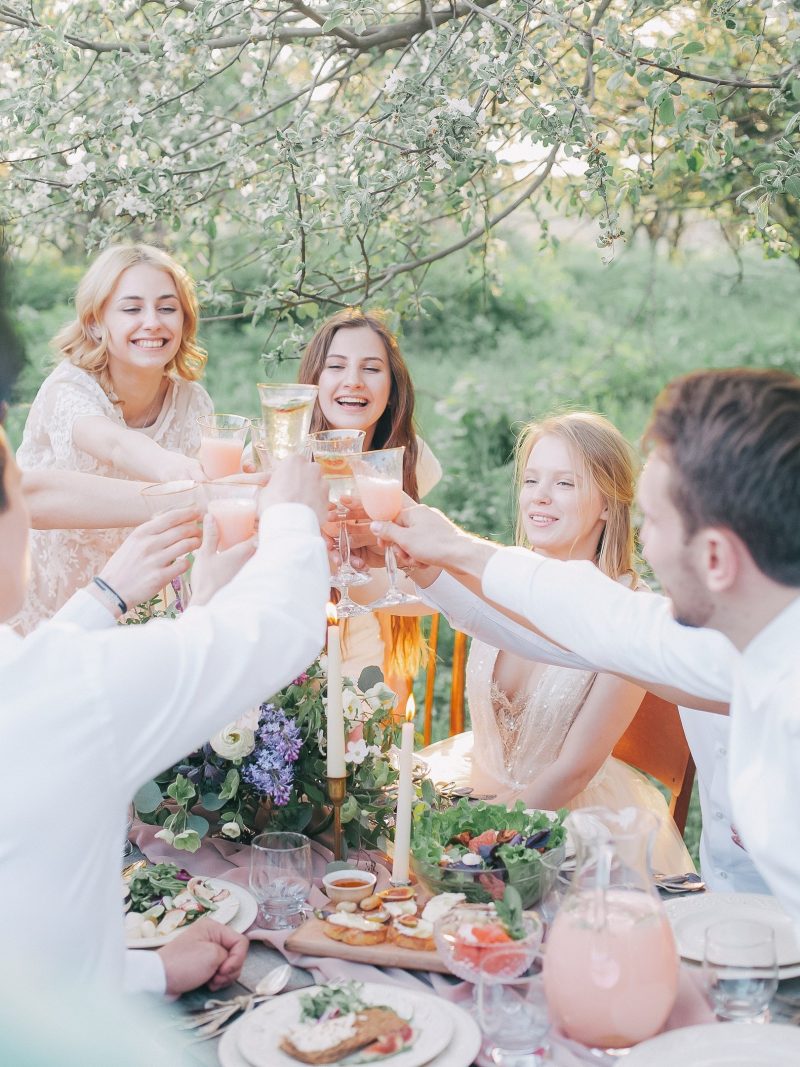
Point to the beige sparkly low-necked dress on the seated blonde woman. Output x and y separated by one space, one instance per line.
513 741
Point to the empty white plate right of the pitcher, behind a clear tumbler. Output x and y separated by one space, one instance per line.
692 916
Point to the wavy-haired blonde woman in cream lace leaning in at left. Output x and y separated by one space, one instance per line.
123 403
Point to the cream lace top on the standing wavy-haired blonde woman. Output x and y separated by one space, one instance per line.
66 561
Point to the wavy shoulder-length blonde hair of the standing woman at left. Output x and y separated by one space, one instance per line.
77 342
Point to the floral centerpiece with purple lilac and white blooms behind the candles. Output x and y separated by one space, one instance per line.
268 770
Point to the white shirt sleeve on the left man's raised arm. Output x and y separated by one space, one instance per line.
165 689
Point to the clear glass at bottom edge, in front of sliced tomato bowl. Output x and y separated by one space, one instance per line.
513 1011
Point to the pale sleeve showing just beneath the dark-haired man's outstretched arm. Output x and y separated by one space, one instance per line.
468 612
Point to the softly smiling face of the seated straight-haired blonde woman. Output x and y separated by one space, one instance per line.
564 512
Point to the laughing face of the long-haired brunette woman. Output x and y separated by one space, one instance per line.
356 383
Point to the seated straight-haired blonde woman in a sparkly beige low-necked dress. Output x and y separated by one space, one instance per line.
546 732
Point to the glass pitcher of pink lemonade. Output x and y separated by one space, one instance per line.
612 966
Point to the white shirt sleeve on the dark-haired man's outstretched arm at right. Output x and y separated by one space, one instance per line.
618 630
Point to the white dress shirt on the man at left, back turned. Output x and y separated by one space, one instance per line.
88 718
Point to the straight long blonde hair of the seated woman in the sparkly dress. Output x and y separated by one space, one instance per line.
602 454
